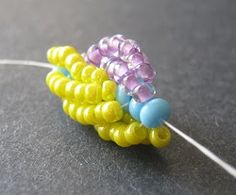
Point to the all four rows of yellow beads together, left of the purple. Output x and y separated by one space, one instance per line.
89 97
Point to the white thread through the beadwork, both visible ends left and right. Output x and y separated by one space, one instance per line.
227 167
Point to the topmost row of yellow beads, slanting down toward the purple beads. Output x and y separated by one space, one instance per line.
69 58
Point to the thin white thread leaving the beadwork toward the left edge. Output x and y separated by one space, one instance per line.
26 63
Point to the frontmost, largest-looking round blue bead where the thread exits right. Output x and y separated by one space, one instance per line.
154 112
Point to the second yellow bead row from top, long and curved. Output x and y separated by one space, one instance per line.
91 93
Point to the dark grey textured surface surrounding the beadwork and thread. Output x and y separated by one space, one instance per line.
192 43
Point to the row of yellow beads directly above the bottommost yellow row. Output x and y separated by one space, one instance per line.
103 112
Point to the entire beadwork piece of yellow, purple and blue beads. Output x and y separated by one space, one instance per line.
111 88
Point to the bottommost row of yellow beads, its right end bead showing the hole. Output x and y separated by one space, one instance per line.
124 134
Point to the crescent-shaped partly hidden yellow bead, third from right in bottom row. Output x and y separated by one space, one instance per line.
119 137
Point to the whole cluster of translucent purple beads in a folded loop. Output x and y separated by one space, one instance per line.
125 64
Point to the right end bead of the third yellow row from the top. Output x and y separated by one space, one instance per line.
112 111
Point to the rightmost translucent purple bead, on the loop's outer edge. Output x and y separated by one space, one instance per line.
145 72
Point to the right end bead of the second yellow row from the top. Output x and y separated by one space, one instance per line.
108 90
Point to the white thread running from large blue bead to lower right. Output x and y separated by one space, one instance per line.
227 167
